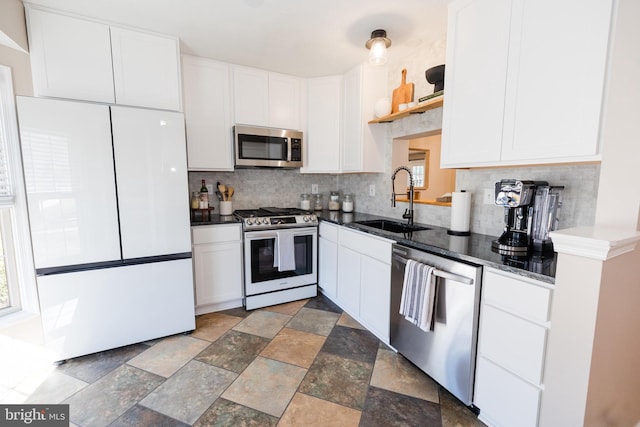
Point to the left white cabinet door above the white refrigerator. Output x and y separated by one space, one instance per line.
70 57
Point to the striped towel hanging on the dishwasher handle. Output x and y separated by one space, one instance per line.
418 295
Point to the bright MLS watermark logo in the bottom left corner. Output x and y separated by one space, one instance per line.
34 415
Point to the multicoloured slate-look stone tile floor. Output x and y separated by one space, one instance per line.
304 363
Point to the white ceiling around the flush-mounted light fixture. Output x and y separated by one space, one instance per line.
305 38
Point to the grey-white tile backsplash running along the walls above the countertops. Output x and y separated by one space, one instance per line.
282 188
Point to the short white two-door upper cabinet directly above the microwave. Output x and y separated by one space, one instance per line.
269 99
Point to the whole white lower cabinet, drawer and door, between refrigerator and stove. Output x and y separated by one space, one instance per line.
217 265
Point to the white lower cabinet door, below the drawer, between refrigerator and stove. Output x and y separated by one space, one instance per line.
218 272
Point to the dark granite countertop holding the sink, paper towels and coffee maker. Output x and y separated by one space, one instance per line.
475 248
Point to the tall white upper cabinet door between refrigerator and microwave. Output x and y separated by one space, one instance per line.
207 114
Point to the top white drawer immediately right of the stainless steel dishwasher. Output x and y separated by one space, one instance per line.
519 296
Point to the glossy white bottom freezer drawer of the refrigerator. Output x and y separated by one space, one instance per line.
94 310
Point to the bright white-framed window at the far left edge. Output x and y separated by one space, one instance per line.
17 282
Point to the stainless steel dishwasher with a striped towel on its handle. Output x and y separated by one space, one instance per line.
448 352
